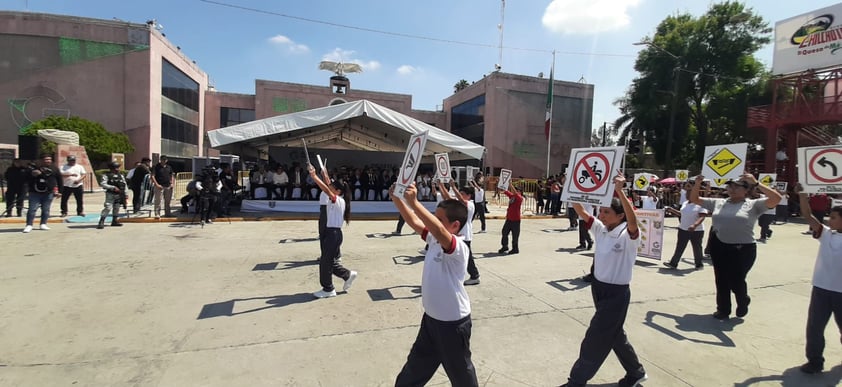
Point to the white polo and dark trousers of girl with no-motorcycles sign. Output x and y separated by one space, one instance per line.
614 259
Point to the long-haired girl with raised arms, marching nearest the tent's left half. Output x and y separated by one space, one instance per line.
331 240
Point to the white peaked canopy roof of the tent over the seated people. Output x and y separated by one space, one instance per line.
361 125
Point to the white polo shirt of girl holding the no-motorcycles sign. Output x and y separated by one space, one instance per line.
614 252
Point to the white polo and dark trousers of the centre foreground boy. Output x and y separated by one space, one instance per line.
445 332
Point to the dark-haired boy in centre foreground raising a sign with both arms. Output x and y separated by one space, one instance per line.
445 333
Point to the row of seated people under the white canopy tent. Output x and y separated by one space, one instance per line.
294 183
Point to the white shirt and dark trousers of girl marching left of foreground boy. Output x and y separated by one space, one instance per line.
330 242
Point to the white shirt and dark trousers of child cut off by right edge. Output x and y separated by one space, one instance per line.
826 297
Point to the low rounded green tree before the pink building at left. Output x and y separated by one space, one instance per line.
98 142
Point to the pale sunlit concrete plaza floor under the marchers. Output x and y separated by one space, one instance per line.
175 304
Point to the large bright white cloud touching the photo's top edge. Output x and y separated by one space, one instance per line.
584 17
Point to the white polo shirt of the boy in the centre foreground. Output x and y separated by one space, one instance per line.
442 293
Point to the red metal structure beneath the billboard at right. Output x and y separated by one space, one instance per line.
802 105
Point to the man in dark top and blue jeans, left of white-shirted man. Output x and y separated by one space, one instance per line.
44 185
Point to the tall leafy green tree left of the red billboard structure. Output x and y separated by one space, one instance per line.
706 68
